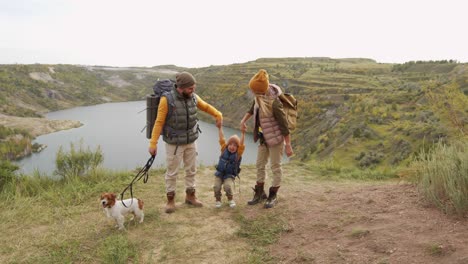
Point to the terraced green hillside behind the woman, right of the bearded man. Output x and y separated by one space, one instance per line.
354 112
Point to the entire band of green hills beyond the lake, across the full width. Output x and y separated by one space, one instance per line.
354 113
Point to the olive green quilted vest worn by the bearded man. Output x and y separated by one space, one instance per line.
181 126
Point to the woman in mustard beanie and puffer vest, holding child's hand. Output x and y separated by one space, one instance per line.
272 130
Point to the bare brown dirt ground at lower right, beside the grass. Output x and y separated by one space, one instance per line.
332 222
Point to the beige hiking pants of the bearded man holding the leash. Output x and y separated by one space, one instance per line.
186 154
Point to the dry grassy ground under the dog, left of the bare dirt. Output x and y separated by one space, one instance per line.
80 233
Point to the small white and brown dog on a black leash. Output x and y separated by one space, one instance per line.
116 209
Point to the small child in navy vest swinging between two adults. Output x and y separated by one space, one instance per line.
228 166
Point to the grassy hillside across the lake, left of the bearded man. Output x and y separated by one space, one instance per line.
29 90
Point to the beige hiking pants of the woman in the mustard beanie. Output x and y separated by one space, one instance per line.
275 155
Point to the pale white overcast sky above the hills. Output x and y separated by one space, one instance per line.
199 33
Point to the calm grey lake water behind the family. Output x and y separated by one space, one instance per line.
116 128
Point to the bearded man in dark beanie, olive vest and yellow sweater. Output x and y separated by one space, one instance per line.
179 129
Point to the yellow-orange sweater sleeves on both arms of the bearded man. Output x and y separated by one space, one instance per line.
162 113
